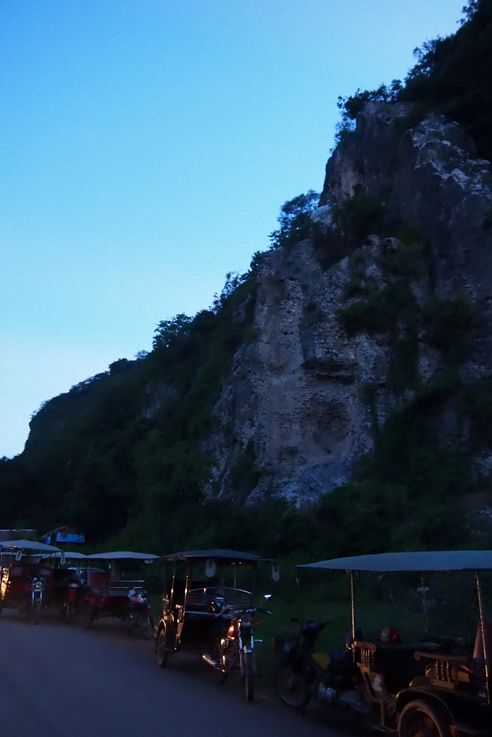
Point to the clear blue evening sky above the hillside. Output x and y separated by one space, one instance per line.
146 147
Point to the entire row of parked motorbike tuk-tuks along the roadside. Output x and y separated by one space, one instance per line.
426 687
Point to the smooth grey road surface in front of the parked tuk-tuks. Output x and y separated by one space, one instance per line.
63 681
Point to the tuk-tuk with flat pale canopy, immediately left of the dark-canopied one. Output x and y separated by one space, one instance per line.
106 592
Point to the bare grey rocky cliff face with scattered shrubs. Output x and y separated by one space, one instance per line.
294 414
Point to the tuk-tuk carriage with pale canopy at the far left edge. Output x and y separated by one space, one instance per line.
25 576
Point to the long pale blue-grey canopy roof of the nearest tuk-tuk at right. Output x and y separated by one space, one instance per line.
429 560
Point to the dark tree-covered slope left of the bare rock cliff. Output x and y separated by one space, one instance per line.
120 455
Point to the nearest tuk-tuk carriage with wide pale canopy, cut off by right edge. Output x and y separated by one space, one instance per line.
425 688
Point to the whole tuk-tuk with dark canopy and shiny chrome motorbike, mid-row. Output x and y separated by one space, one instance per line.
207 608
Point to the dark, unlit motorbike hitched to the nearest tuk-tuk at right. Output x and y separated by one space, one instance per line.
305 674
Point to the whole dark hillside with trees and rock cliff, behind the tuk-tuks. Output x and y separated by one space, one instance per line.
346 378
